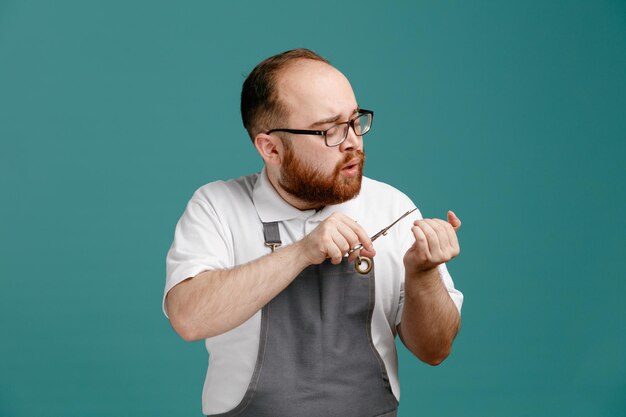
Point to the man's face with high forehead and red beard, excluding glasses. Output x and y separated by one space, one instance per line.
318 96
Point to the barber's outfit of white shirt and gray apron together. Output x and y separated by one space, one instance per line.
324 346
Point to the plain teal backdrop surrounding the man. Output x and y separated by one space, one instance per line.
511 113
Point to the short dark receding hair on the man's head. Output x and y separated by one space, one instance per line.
260 104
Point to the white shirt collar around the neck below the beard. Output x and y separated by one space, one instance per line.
271 207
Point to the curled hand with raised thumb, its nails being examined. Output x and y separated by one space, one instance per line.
435 243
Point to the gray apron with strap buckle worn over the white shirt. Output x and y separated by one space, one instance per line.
316 357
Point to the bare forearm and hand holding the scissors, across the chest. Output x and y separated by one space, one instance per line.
216 301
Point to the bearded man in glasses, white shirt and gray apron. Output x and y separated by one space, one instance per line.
258 265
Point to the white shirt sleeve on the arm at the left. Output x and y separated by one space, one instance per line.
200 244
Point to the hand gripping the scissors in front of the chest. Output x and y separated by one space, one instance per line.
333 238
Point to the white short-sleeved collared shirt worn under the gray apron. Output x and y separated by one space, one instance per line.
222 228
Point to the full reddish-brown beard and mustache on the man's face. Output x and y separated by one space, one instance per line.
308 184
